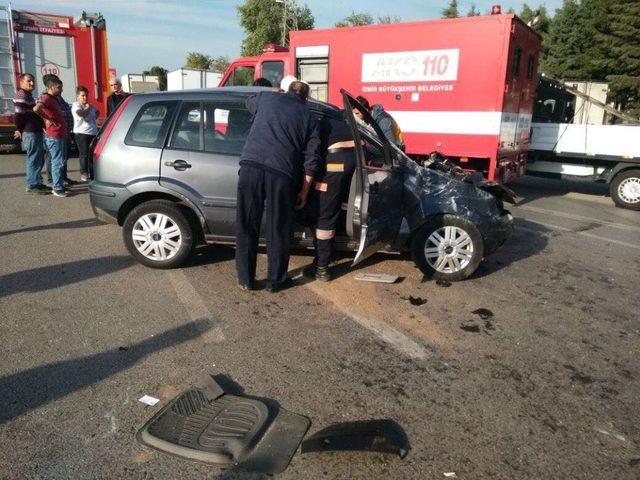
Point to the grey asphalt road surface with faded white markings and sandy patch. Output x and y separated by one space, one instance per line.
547 387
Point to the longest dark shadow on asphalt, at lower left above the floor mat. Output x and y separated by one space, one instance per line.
24 391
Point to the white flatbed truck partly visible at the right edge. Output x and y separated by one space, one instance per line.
568 140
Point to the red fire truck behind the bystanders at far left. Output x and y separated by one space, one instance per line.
75 49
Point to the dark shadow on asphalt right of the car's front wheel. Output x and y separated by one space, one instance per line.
528 239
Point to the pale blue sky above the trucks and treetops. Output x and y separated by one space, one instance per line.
143 33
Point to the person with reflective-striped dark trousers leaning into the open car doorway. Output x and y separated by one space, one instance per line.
332 189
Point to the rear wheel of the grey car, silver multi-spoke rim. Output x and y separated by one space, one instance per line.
158 234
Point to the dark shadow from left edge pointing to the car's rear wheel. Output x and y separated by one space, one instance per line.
54 276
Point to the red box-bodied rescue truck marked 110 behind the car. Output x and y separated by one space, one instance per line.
464 86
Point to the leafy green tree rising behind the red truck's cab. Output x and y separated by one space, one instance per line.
263 21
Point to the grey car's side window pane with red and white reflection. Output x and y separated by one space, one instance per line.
225 128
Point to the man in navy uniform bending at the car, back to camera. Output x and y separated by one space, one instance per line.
278 165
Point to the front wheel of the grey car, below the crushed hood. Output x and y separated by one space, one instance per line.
447 247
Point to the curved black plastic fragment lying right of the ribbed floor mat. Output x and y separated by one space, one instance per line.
382 435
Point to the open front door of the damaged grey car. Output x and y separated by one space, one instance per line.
376 200
